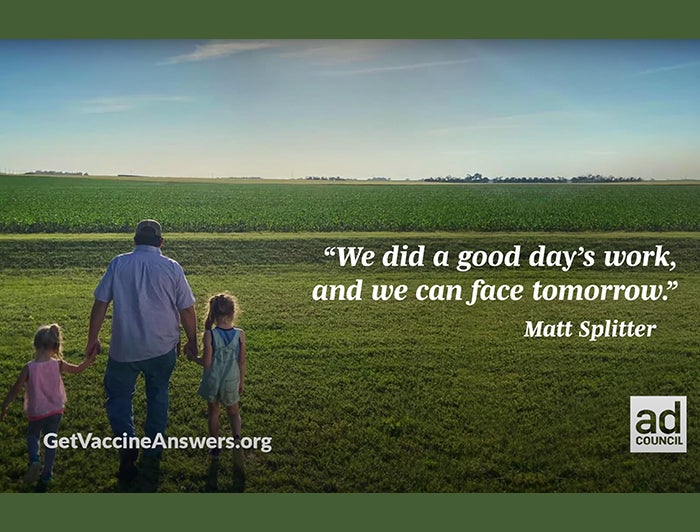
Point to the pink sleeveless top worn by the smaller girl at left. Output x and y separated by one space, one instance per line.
45 394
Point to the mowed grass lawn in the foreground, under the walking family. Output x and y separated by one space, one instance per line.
365 396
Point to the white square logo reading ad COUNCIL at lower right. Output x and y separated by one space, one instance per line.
658 424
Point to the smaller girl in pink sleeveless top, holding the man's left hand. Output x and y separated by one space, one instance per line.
44 398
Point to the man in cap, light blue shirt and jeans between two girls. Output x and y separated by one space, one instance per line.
151 299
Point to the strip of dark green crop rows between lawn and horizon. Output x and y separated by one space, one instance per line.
31 204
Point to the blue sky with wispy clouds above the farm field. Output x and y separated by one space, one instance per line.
354 108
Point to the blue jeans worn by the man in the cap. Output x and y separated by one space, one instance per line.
120 385
